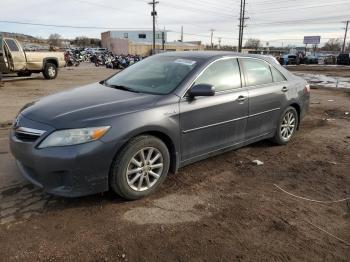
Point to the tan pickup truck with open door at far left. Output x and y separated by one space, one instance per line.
14 60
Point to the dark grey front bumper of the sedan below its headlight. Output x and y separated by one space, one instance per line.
69 171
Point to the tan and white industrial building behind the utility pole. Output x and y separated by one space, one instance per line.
139 42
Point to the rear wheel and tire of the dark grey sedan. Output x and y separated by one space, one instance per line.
287 126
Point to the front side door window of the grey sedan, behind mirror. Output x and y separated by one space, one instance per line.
223 74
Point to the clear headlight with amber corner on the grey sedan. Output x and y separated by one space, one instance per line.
74 136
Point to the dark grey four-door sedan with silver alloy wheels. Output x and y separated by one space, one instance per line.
167 111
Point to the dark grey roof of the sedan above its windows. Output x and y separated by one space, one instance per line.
208 55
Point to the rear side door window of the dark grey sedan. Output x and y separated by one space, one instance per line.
257 72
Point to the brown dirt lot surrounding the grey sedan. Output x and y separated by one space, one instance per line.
221 209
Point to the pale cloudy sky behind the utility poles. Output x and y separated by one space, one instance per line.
274 22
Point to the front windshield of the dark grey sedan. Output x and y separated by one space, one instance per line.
154 75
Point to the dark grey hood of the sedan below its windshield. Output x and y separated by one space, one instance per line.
94 102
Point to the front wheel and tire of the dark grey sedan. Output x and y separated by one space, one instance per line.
129 160
